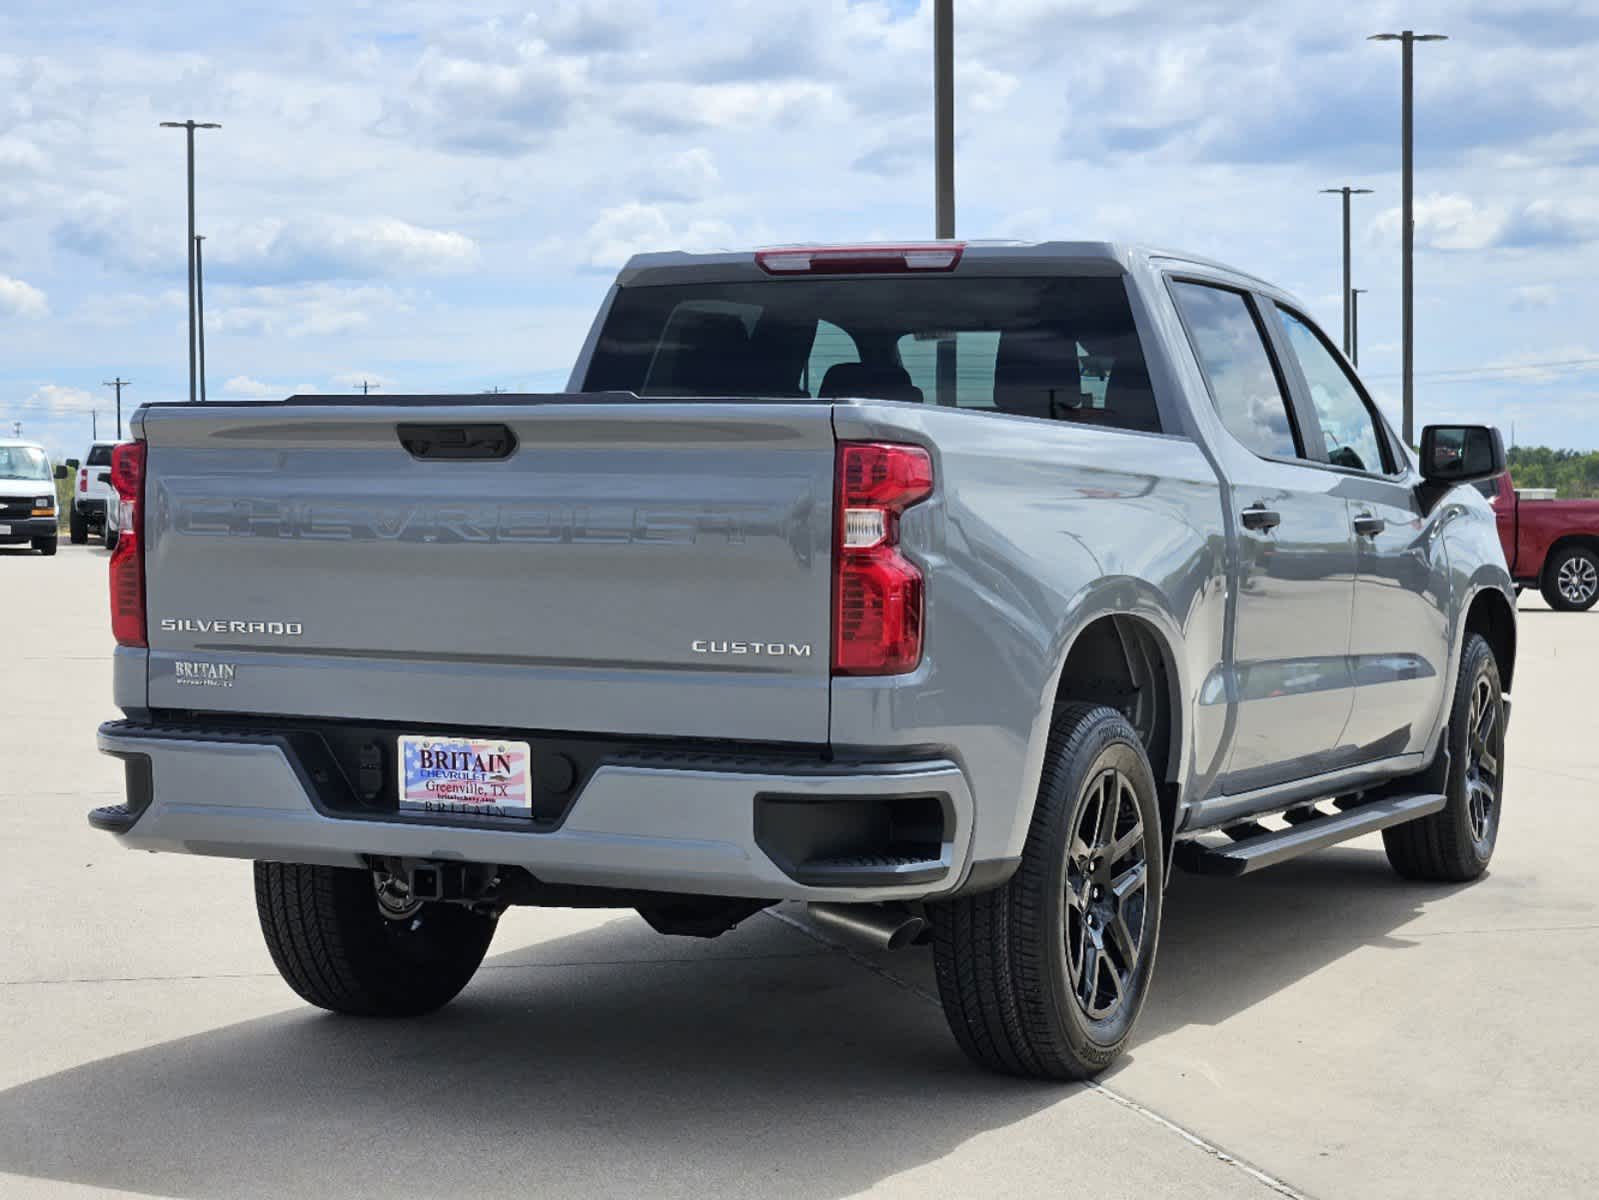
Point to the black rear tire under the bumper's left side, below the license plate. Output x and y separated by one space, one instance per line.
335 946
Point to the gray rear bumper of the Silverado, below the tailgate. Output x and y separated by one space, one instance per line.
685 828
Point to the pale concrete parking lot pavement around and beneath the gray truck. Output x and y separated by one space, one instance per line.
1341 1031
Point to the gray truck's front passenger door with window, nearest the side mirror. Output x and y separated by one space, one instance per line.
1400 633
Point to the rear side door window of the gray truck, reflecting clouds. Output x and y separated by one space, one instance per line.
1245 385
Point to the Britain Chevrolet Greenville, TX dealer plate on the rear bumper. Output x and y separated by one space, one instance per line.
476 777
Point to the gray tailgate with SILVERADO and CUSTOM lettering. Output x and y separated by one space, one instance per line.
634 569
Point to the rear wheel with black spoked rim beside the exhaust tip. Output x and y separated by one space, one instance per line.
1015 964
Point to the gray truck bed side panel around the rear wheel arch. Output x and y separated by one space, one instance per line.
1037 530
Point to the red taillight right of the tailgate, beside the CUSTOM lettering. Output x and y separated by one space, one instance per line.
877 591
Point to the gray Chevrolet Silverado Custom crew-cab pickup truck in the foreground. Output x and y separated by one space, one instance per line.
960 591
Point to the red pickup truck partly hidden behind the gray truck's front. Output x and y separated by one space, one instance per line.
1549 545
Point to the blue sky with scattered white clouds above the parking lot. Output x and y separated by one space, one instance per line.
434 194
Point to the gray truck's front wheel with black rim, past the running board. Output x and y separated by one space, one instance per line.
1456 844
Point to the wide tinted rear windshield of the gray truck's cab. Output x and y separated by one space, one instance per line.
1053 348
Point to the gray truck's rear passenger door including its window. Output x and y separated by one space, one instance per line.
1288 676
